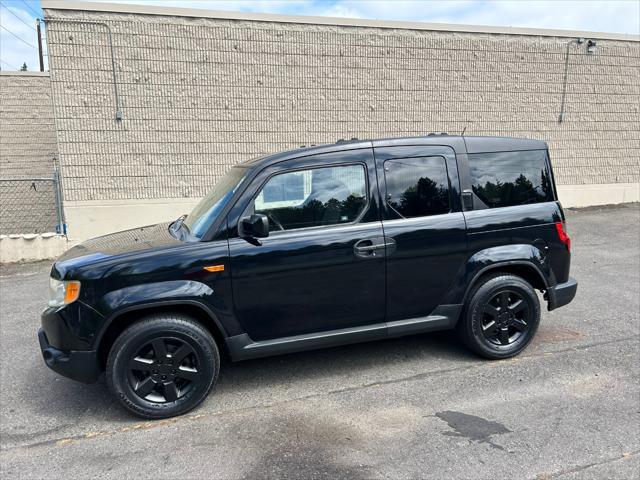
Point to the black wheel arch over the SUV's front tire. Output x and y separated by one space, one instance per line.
125 317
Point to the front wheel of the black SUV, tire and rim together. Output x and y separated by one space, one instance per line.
162 366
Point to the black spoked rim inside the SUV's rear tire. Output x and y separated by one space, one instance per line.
506 318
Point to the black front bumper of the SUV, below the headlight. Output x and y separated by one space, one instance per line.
78 365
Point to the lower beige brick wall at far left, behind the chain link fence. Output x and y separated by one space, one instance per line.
27 151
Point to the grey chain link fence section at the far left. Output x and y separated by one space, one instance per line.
31 205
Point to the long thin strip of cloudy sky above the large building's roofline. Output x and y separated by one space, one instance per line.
618 16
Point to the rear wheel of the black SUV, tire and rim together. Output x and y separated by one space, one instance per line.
492 330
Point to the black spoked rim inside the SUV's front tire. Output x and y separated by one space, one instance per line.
163 370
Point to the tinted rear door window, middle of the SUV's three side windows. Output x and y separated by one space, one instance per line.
417 187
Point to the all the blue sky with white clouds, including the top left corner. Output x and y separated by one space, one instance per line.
18 40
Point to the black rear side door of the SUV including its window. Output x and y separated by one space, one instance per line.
423 225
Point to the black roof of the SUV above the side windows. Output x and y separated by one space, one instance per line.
474 144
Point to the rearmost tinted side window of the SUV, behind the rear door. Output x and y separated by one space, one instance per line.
504 179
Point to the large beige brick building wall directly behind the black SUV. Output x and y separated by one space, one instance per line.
198 91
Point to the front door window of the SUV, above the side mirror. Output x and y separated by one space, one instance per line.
313 197
